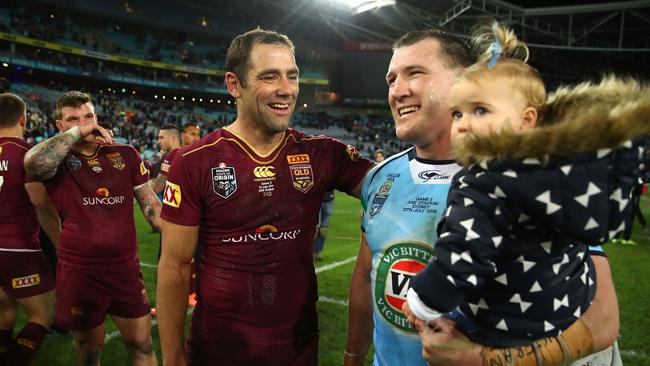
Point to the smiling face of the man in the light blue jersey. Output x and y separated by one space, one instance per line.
418 88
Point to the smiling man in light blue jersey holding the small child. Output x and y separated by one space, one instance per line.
403 200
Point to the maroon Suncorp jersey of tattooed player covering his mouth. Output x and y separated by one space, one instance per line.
94 197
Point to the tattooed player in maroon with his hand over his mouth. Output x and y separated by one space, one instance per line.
93 183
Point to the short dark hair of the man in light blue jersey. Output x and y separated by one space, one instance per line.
454 50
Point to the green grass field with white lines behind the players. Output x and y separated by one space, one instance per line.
630 267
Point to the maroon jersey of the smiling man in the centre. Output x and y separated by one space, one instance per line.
257 217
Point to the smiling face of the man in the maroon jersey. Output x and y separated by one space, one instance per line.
271 88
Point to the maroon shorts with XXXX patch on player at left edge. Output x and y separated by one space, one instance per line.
25 274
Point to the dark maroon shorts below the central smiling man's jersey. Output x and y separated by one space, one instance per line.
204 348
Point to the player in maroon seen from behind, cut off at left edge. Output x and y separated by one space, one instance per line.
25 277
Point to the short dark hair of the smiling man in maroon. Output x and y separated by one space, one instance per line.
238 57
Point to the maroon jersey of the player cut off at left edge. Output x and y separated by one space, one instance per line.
18 223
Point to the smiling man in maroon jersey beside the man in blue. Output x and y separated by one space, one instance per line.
250 194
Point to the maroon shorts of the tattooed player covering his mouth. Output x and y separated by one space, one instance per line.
84 295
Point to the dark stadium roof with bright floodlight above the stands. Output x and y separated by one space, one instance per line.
569 39
